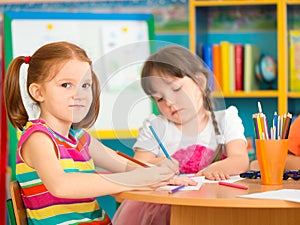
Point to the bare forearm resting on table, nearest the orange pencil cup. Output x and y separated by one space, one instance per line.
237 161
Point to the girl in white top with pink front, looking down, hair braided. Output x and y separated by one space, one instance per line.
205 142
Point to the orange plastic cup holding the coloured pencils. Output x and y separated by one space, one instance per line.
271 156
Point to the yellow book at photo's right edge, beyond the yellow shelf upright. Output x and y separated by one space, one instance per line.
294 60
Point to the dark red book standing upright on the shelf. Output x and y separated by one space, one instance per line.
239 66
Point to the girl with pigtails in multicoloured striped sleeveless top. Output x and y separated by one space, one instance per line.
56 157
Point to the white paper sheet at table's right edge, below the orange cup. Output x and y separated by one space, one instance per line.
284 194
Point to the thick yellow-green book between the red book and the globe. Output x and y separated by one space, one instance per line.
251 58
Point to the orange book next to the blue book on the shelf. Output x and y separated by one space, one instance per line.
216 49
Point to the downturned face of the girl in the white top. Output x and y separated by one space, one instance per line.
180 100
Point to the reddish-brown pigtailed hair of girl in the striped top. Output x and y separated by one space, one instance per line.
44 64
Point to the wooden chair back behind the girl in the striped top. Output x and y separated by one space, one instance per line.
18 205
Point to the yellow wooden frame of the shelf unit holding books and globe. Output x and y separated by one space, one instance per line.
282 7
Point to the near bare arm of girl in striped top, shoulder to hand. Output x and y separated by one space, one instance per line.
39 152
